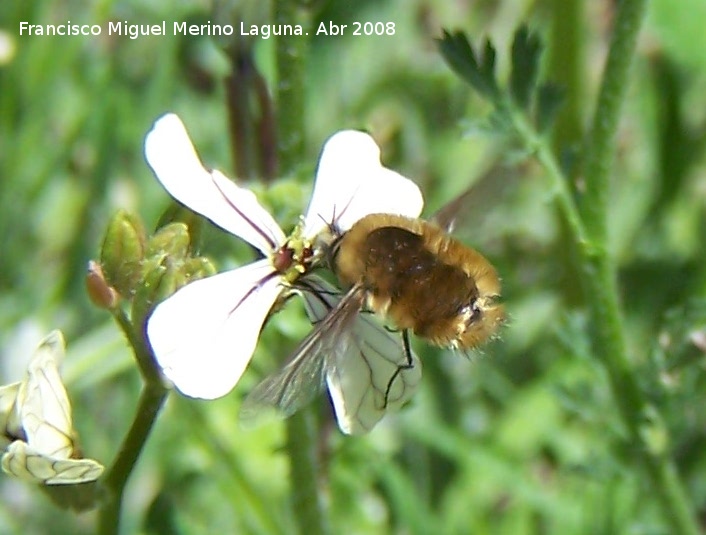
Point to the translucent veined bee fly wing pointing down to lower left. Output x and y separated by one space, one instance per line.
304 375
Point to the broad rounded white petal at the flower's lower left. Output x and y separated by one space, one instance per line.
204 335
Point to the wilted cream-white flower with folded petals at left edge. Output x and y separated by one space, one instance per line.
35 415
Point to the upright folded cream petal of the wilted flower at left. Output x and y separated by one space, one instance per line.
44 409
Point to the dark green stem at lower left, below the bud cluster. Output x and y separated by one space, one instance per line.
114 481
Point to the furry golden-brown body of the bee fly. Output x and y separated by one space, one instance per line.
421 278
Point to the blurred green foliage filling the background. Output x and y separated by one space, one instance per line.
522 439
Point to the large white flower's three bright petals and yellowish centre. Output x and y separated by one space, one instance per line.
204 335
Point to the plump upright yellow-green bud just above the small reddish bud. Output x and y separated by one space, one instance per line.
123 251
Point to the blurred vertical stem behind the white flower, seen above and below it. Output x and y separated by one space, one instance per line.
301 446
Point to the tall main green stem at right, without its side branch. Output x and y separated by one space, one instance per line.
602 272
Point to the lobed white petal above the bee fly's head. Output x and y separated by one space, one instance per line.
351 183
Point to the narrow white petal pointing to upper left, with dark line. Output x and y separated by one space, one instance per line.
173 159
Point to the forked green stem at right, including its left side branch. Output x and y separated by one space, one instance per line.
599 273
